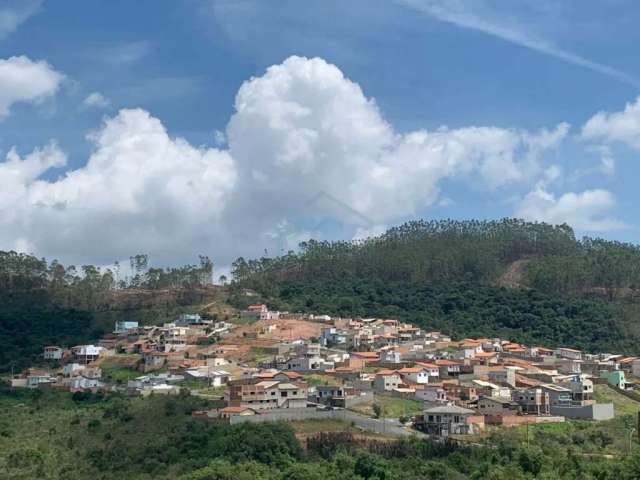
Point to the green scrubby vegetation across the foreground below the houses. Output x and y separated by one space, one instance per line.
54 435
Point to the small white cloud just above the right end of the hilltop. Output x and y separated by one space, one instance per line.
587 211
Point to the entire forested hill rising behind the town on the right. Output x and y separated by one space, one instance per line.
447 275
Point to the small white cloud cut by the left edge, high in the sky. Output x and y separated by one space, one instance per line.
25 80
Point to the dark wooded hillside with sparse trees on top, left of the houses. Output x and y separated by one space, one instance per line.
46 303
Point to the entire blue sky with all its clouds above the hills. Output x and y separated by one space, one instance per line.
240 128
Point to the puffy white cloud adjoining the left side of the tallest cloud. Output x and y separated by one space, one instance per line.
141 190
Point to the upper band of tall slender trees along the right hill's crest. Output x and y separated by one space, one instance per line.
432 251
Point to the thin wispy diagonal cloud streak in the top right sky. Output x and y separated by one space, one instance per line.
495 20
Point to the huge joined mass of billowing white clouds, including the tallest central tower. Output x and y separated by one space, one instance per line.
307 153
